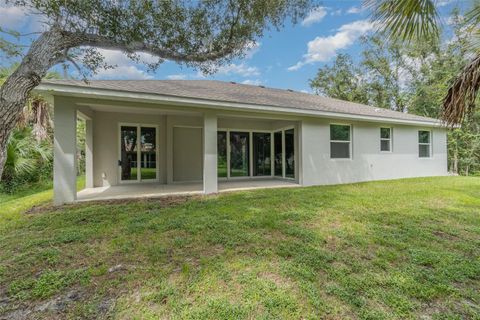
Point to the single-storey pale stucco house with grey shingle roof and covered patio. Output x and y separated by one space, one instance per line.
153 137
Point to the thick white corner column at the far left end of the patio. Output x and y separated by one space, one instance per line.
65 149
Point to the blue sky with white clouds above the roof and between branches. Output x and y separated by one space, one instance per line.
285 59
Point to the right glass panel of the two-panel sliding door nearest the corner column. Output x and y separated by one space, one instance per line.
148 154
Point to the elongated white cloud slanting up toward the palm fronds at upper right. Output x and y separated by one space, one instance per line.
322 49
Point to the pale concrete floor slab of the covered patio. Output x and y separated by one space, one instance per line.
155 190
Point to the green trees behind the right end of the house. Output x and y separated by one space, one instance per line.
413 78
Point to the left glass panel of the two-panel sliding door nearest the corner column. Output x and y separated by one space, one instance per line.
128 153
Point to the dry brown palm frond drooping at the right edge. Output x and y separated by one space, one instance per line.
460 99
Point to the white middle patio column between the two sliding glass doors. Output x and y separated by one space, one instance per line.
210 179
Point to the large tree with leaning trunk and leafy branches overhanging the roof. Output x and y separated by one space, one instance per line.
199 33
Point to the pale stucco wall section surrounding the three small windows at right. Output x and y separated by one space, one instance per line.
367 162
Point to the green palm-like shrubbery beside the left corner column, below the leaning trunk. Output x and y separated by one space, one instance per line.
27 159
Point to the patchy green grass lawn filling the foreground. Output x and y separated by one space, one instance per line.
379 250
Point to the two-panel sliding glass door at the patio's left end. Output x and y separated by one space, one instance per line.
138 153
